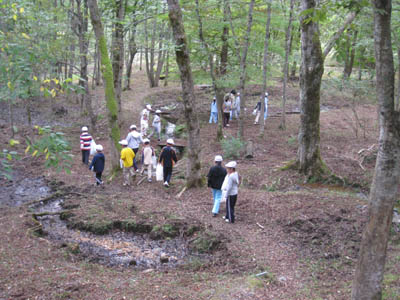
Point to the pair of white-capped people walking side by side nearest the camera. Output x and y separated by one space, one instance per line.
224 184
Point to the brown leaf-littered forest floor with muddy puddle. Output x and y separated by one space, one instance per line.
300 239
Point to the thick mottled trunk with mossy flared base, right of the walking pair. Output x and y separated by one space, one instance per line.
312 67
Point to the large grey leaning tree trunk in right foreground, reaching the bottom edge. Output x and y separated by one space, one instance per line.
367 284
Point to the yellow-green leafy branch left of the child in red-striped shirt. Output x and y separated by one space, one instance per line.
53 146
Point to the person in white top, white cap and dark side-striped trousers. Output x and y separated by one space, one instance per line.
231 191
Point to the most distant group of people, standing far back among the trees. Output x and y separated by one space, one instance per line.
231 108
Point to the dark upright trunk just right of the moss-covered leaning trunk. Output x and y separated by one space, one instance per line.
118 49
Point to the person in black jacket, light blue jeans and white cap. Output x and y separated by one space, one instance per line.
216 177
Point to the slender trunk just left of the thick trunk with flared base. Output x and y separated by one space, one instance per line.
288 39
